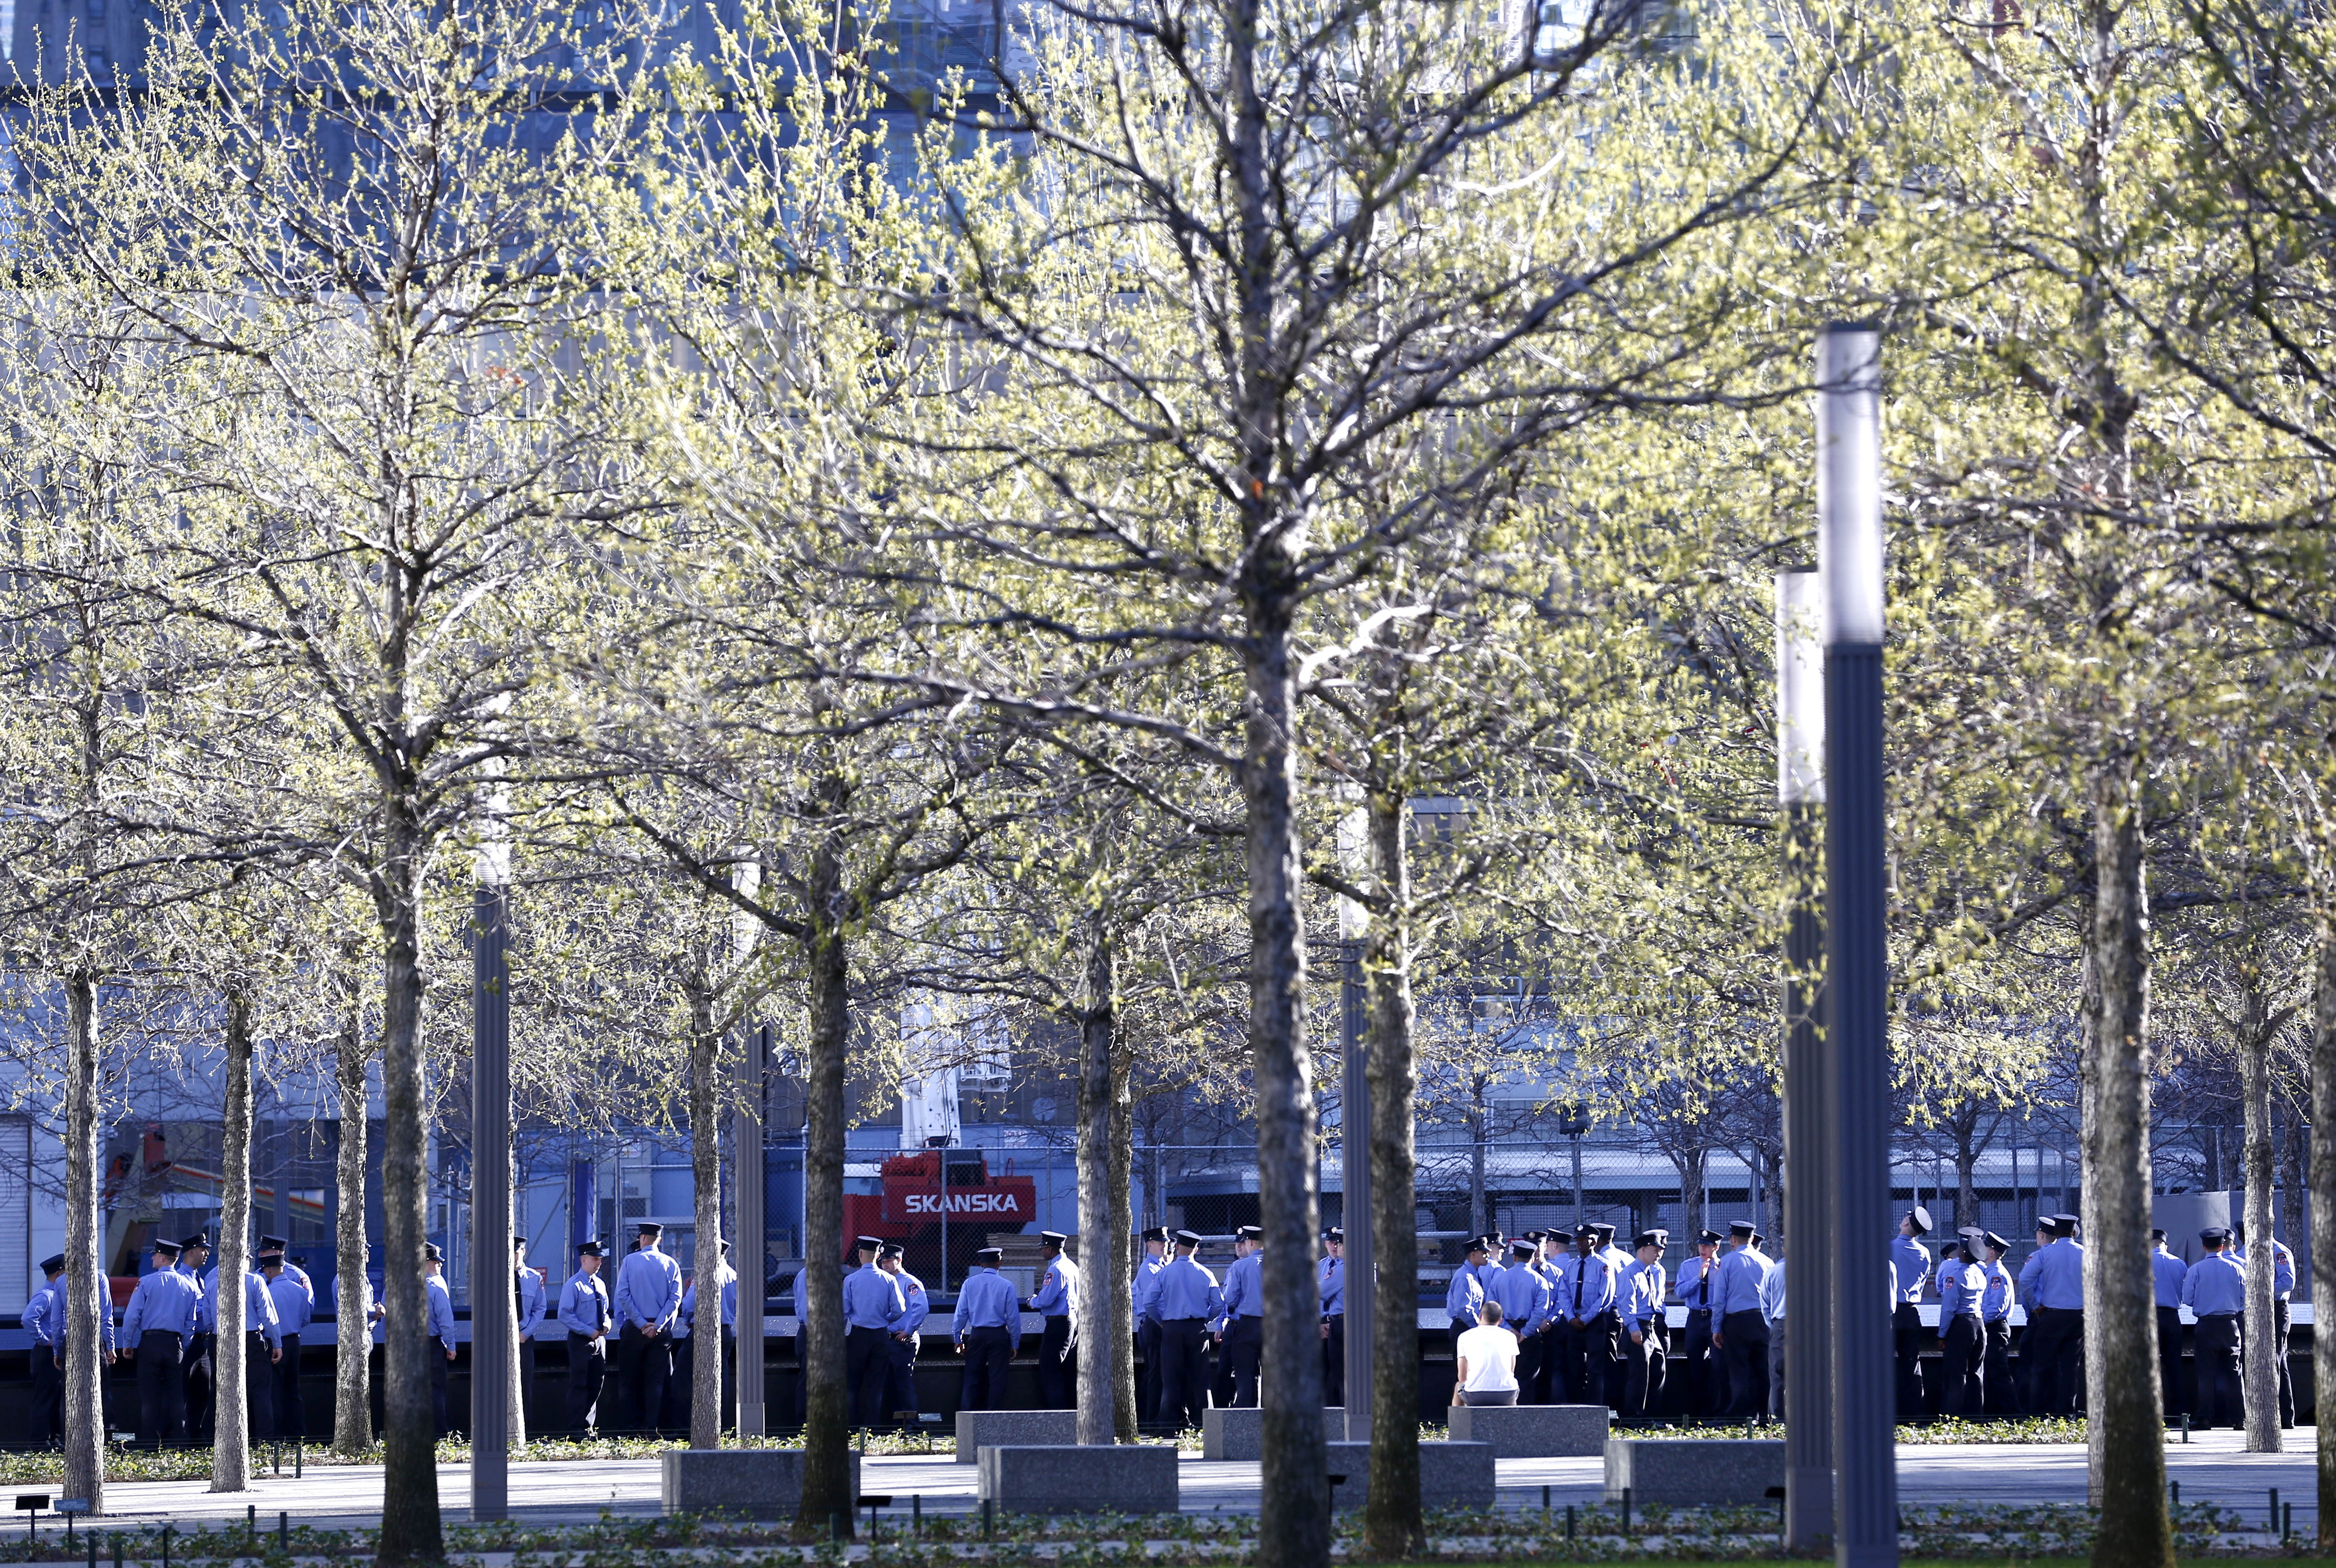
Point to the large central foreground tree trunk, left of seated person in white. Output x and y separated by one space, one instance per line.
1295 1532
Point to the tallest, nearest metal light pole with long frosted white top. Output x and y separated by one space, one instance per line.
1858 959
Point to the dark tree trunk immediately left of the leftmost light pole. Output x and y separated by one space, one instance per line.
410 1504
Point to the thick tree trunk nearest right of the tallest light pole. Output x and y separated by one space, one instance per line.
2120 1303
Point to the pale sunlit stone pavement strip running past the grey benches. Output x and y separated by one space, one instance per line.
2211 1469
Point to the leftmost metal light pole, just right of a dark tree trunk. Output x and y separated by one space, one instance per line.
492 1282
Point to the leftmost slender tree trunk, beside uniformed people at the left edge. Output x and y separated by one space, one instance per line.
88 1298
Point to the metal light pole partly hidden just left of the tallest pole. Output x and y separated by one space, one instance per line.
1809 1184
